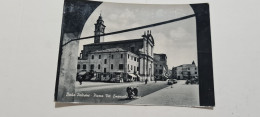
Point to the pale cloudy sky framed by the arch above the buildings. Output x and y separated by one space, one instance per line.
177 40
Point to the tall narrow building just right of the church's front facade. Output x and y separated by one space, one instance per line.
160 66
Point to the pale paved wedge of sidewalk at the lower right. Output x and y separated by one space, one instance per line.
179 95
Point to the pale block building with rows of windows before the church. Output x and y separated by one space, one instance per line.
110 63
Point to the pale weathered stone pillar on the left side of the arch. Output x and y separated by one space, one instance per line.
68 69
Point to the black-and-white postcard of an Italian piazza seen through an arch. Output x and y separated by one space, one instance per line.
135 54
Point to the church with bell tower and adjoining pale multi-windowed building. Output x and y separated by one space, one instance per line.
128 59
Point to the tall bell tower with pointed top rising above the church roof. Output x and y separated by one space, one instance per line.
99 30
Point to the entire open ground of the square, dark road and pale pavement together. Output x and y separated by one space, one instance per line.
148 94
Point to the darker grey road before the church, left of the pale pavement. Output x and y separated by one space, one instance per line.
113 93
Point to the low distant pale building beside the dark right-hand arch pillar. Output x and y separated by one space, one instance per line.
185 71
